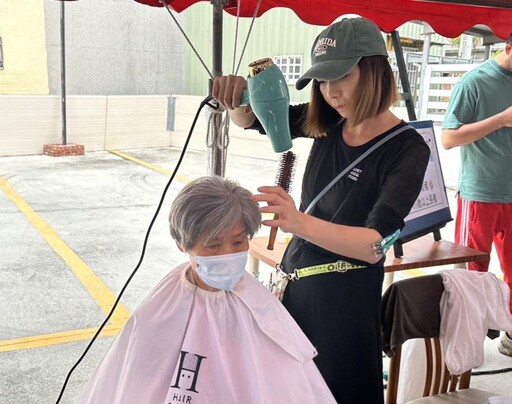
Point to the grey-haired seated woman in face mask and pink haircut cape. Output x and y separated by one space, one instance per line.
209 332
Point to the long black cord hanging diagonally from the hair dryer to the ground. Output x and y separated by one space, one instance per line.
144 245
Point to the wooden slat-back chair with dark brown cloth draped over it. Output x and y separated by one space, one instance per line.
411 310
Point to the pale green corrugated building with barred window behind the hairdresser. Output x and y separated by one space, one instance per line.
278 34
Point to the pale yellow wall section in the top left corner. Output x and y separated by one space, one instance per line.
24 47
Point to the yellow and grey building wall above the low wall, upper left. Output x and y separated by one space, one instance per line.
112 47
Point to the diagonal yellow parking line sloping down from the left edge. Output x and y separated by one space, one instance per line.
103 297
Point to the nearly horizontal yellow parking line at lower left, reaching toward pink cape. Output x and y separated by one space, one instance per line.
37 341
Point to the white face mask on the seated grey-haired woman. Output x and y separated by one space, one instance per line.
221 271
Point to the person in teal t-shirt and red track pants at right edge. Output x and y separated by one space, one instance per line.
479 121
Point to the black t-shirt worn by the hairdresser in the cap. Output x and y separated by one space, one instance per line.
377 193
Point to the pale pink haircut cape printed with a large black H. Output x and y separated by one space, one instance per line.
187 345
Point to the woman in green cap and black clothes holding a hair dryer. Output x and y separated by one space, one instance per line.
352 90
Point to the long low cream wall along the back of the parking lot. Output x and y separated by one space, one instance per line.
28 123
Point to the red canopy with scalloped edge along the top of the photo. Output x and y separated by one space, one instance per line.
449 18
